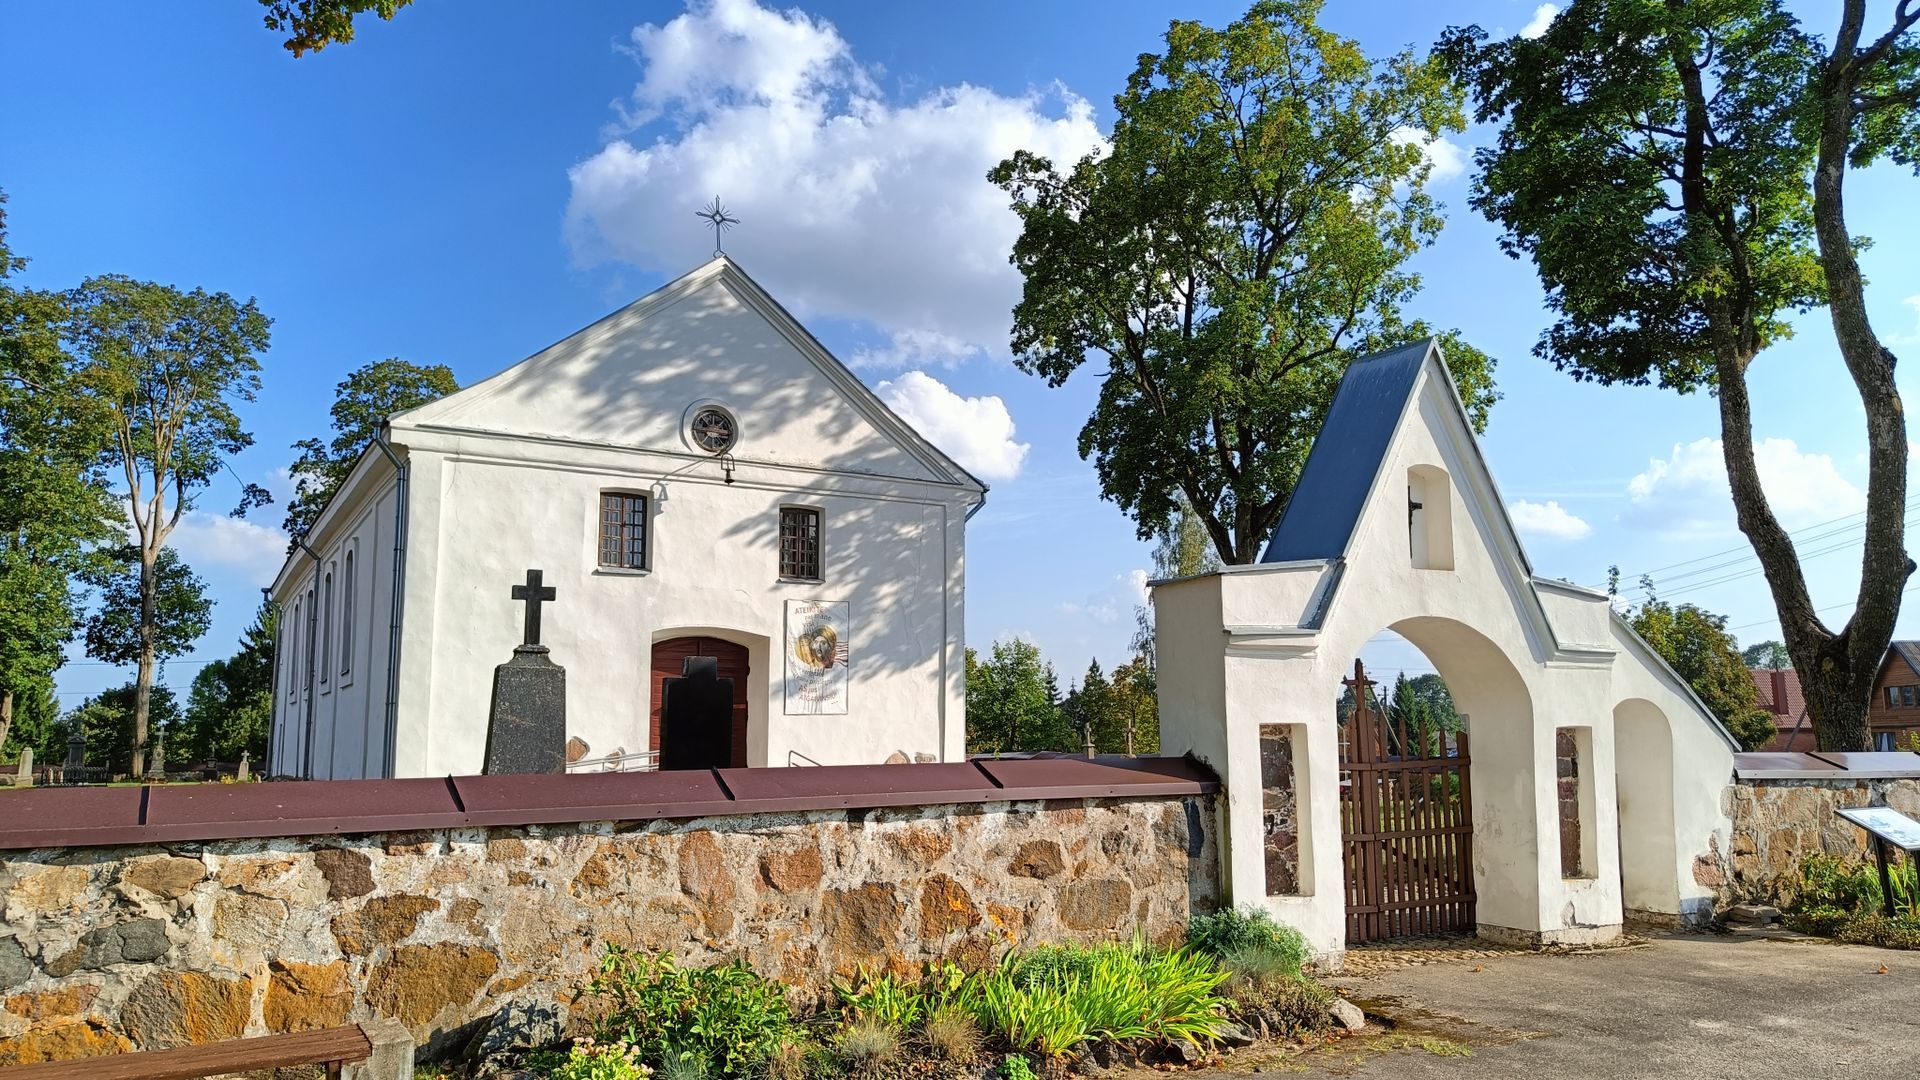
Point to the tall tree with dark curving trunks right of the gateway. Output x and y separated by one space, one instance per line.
1677 174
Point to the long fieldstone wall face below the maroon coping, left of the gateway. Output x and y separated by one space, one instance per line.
114 948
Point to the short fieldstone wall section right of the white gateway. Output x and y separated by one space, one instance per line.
1777 823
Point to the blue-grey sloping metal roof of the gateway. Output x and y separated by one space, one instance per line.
1347 456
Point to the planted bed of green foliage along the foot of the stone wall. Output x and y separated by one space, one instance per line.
1038 1012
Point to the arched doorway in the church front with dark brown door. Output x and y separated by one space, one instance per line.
698 731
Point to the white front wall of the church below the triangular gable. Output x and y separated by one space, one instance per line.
485 512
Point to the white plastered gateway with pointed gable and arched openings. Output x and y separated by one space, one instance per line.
1243 649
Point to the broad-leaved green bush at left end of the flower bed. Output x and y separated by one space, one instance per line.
688 1023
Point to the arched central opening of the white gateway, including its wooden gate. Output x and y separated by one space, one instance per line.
1410 814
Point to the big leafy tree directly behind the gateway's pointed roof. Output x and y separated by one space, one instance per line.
1241 239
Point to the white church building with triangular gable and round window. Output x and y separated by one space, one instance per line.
696 478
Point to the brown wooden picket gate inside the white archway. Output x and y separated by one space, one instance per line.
1406 823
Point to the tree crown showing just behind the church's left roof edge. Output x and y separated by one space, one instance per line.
364 403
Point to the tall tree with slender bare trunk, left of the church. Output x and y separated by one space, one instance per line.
164 370
